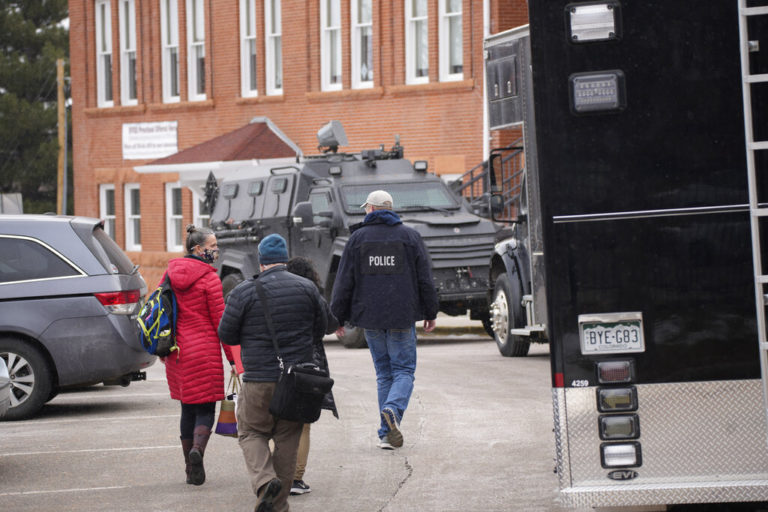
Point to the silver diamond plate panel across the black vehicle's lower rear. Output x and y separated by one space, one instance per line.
701 442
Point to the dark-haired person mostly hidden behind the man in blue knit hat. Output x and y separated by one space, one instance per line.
303 267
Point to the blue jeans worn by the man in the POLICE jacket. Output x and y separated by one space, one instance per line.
394 358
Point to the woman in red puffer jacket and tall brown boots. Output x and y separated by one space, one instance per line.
195 372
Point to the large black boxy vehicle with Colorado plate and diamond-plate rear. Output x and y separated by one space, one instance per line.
645 134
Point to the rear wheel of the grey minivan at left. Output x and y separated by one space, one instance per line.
30 378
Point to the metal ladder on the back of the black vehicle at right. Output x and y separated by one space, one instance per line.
756 212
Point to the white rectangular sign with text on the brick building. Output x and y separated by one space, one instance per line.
143 141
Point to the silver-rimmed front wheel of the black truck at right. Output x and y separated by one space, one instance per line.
507 313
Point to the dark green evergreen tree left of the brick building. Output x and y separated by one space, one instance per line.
32 37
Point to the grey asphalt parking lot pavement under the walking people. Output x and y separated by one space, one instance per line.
478 437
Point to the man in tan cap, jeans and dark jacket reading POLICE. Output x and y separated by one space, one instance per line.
384 285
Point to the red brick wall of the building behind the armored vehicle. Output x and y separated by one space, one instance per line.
439 122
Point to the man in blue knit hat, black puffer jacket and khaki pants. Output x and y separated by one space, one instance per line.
299 316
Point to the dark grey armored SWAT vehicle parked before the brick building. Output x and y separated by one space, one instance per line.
313 201
